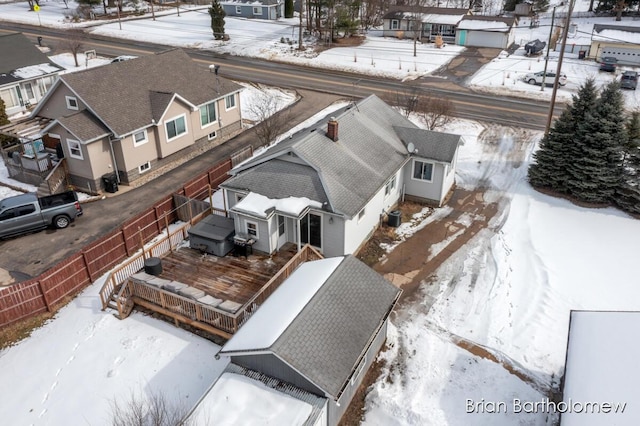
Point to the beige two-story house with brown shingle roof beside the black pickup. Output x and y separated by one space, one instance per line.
140 116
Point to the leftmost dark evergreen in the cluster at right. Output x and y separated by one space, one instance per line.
557 147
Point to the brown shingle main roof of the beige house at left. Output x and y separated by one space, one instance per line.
127 95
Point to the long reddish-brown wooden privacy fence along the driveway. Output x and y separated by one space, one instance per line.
48 291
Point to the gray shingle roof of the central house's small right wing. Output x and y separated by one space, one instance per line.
432 145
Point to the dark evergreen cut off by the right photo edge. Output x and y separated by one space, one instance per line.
627 196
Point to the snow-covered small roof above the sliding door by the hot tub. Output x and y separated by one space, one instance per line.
261 206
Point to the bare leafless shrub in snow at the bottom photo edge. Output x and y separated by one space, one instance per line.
155 410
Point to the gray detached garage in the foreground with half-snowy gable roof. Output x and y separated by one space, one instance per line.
319 332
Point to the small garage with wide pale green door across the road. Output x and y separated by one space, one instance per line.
485 31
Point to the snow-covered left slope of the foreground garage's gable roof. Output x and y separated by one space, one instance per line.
276 313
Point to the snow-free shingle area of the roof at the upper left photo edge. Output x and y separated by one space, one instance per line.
18 52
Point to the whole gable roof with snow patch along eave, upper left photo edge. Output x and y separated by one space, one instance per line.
22 60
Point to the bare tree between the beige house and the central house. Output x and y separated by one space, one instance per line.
271 120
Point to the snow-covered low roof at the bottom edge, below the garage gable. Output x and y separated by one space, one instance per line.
239 400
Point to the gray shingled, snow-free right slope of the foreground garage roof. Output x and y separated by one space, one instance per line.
326 340
